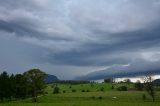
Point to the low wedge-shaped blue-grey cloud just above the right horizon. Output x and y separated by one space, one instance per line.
134 69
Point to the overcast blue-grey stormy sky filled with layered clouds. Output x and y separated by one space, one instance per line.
80 39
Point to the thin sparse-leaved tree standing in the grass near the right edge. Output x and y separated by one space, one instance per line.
149 86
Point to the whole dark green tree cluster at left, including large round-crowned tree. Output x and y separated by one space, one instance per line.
19 86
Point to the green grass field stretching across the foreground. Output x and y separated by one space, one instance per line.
94 97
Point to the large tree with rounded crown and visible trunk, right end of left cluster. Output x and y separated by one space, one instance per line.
35 79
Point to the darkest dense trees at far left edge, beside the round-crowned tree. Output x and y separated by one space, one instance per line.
12 86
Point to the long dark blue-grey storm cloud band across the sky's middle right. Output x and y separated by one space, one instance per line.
128 42
